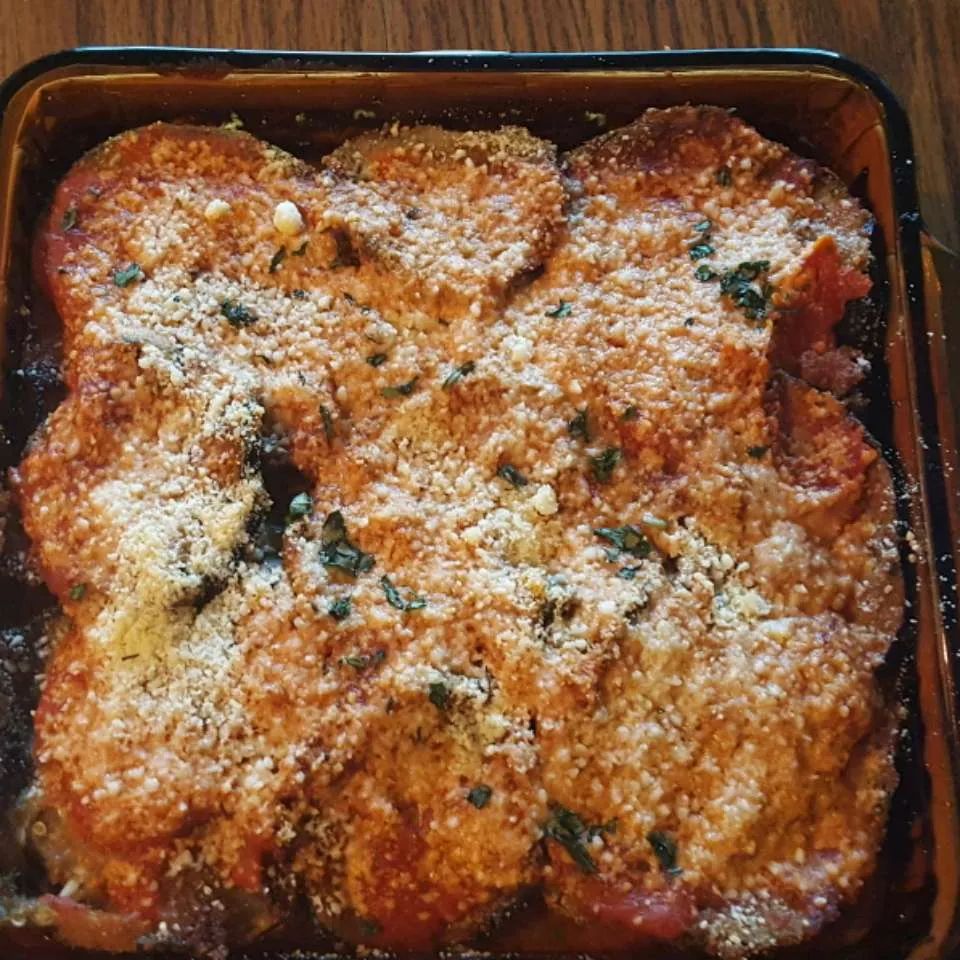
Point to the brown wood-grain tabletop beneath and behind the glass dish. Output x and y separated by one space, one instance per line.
914 44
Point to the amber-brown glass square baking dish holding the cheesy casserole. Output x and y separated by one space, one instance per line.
820 105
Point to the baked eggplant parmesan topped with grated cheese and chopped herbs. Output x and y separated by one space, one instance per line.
451 525
